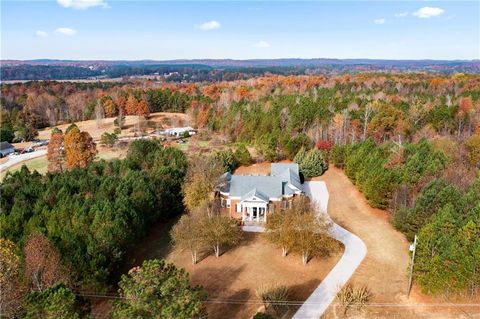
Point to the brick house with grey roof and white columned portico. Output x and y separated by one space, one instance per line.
252 198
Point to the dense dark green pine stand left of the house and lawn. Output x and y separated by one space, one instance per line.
91 216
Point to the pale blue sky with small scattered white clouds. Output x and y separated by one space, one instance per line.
160 30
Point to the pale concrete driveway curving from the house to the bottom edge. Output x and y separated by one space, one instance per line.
355 251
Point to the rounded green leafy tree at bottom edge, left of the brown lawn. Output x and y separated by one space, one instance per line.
158 290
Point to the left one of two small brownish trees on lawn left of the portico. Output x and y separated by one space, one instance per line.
187 235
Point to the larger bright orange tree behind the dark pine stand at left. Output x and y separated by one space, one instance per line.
80 149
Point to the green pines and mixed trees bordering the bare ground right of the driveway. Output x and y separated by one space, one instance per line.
429 195
